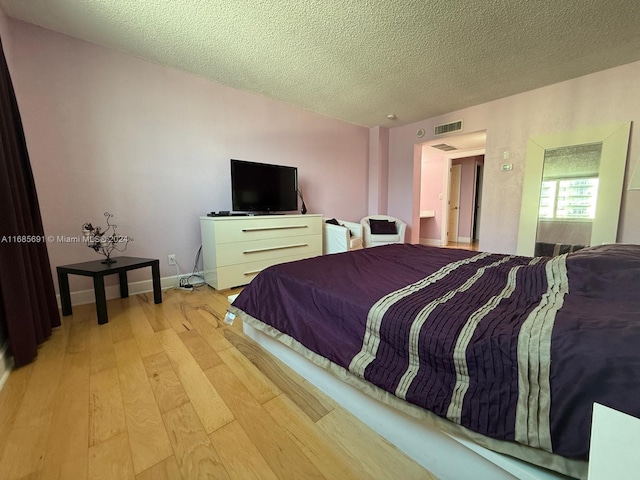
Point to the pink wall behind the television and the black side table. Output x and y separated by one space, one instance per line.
110 132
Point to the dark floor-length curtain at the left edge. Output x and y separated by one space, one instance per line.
27 296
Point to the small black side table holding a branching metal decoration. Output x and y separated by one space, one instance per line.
97 270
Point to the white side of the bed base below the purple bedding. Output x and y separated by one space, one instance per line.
445 455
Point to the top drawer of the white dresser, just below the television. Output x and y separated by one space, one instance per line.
267 227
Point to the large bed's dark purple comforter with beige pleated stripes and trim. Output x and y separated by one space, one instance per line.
509 352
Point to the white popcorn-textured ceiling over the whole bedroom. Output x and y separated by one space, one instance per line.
360 60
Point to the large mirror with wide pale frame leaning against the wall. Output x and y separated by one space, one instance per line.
572 189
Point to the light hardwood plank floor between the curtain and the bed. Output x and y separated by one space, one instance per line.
170 392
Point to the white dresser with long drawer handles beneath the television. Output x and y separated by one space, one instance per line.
236 249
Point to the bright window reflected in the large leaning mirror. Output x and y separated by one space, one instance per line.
573 198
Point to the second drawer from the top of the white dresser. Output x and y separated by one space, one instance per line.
257 250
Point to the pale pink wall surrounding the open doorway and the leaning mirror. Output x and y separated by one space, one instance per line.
605 97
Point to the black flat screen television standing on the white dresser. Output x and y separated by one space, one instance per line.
263 188
